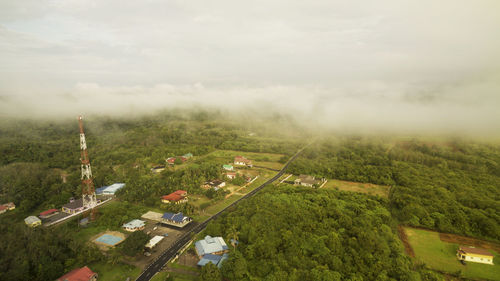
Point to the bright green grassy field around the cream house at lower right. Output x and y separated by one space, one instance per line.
439 255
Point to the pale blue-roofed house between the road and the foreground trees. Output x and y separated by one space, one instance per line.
211 249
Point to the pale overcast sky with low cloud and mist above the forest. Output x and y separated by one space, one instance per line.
387 64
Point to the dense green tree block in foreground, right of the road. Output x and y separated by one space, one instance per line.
285 233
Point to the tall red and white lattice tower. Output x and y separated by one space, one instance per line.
88 191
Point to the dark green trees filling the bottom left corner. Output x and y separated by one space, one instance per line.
41 253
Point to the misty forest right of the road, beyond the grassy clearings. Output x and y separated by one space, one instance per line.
451 187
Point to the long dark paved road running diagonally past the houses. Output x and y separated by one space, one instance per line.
173 250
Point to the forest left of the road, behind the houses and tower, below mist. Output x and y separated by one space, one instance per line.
35 154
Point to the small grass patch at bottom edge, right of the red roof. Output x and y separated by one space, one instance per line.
118 271
